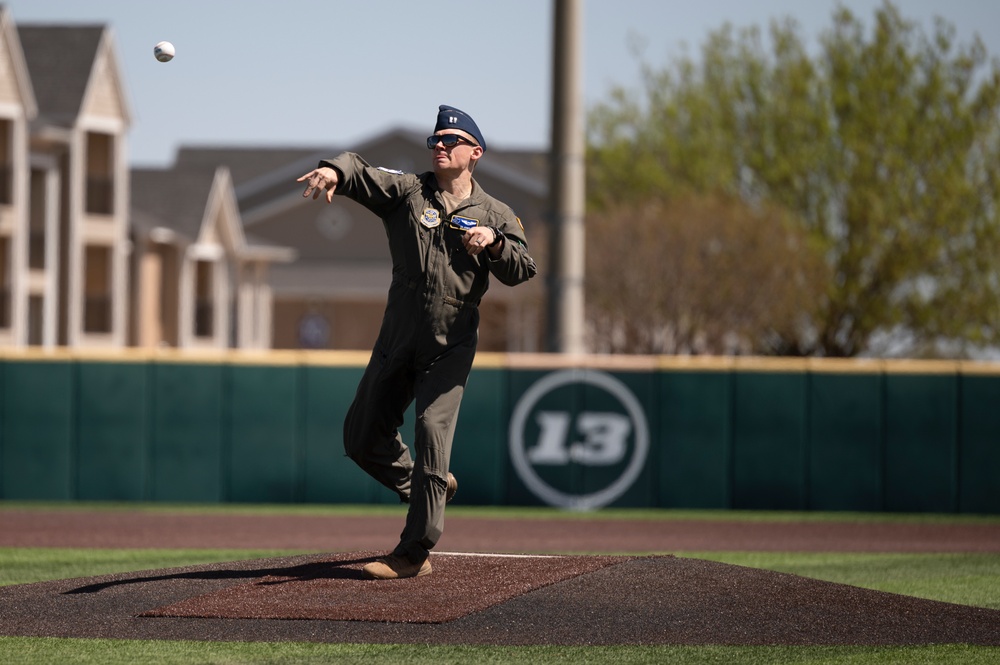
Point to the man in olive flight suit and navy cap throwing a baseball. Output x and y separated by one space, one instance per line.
446 235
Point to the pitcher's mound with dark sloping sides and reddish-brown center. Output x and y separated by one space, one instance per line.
592 601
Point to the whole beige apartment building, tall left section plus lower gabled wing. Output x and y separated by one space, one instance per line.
89 258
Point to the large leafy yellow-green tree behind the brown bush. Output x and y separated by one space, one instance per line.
883 147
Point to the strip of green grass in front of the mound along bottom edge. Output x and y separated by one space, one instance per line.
113 652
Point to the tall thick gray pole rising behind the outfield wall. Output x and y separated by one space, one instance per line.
566 250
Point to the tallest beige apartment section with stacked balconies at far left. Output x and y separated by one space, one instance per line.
64 218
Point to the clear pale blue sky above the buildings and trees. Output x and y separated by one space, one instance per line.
333 72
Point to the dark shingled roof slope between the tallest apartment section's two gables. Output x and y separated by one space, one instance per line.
60 60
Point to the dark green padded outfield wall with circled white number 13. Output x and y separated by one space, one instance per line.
583 433
